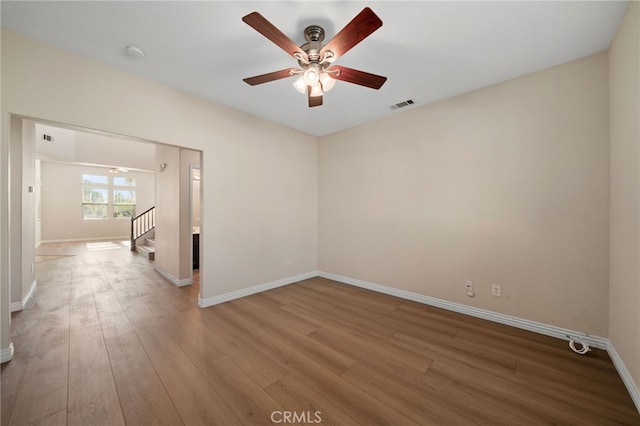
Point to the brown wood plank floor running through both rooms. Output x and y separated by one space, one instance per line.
105 341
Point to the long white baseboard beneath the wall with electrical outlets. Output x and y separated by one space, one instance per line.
537 327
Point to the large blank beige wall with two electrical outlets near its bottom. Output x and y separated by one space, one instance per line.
506 185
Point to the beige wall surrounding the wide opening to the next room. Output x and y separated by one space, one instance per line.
260 194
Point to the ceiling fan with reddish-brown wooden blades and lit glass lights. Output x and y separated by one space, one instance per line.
316 73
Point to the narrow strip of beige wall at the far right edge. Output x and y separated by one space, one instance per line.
624 117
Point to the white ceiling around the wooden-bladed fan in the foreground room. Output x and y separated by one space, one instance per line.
428 50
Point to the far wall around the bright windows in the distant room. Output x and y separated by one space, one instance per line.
61 212
